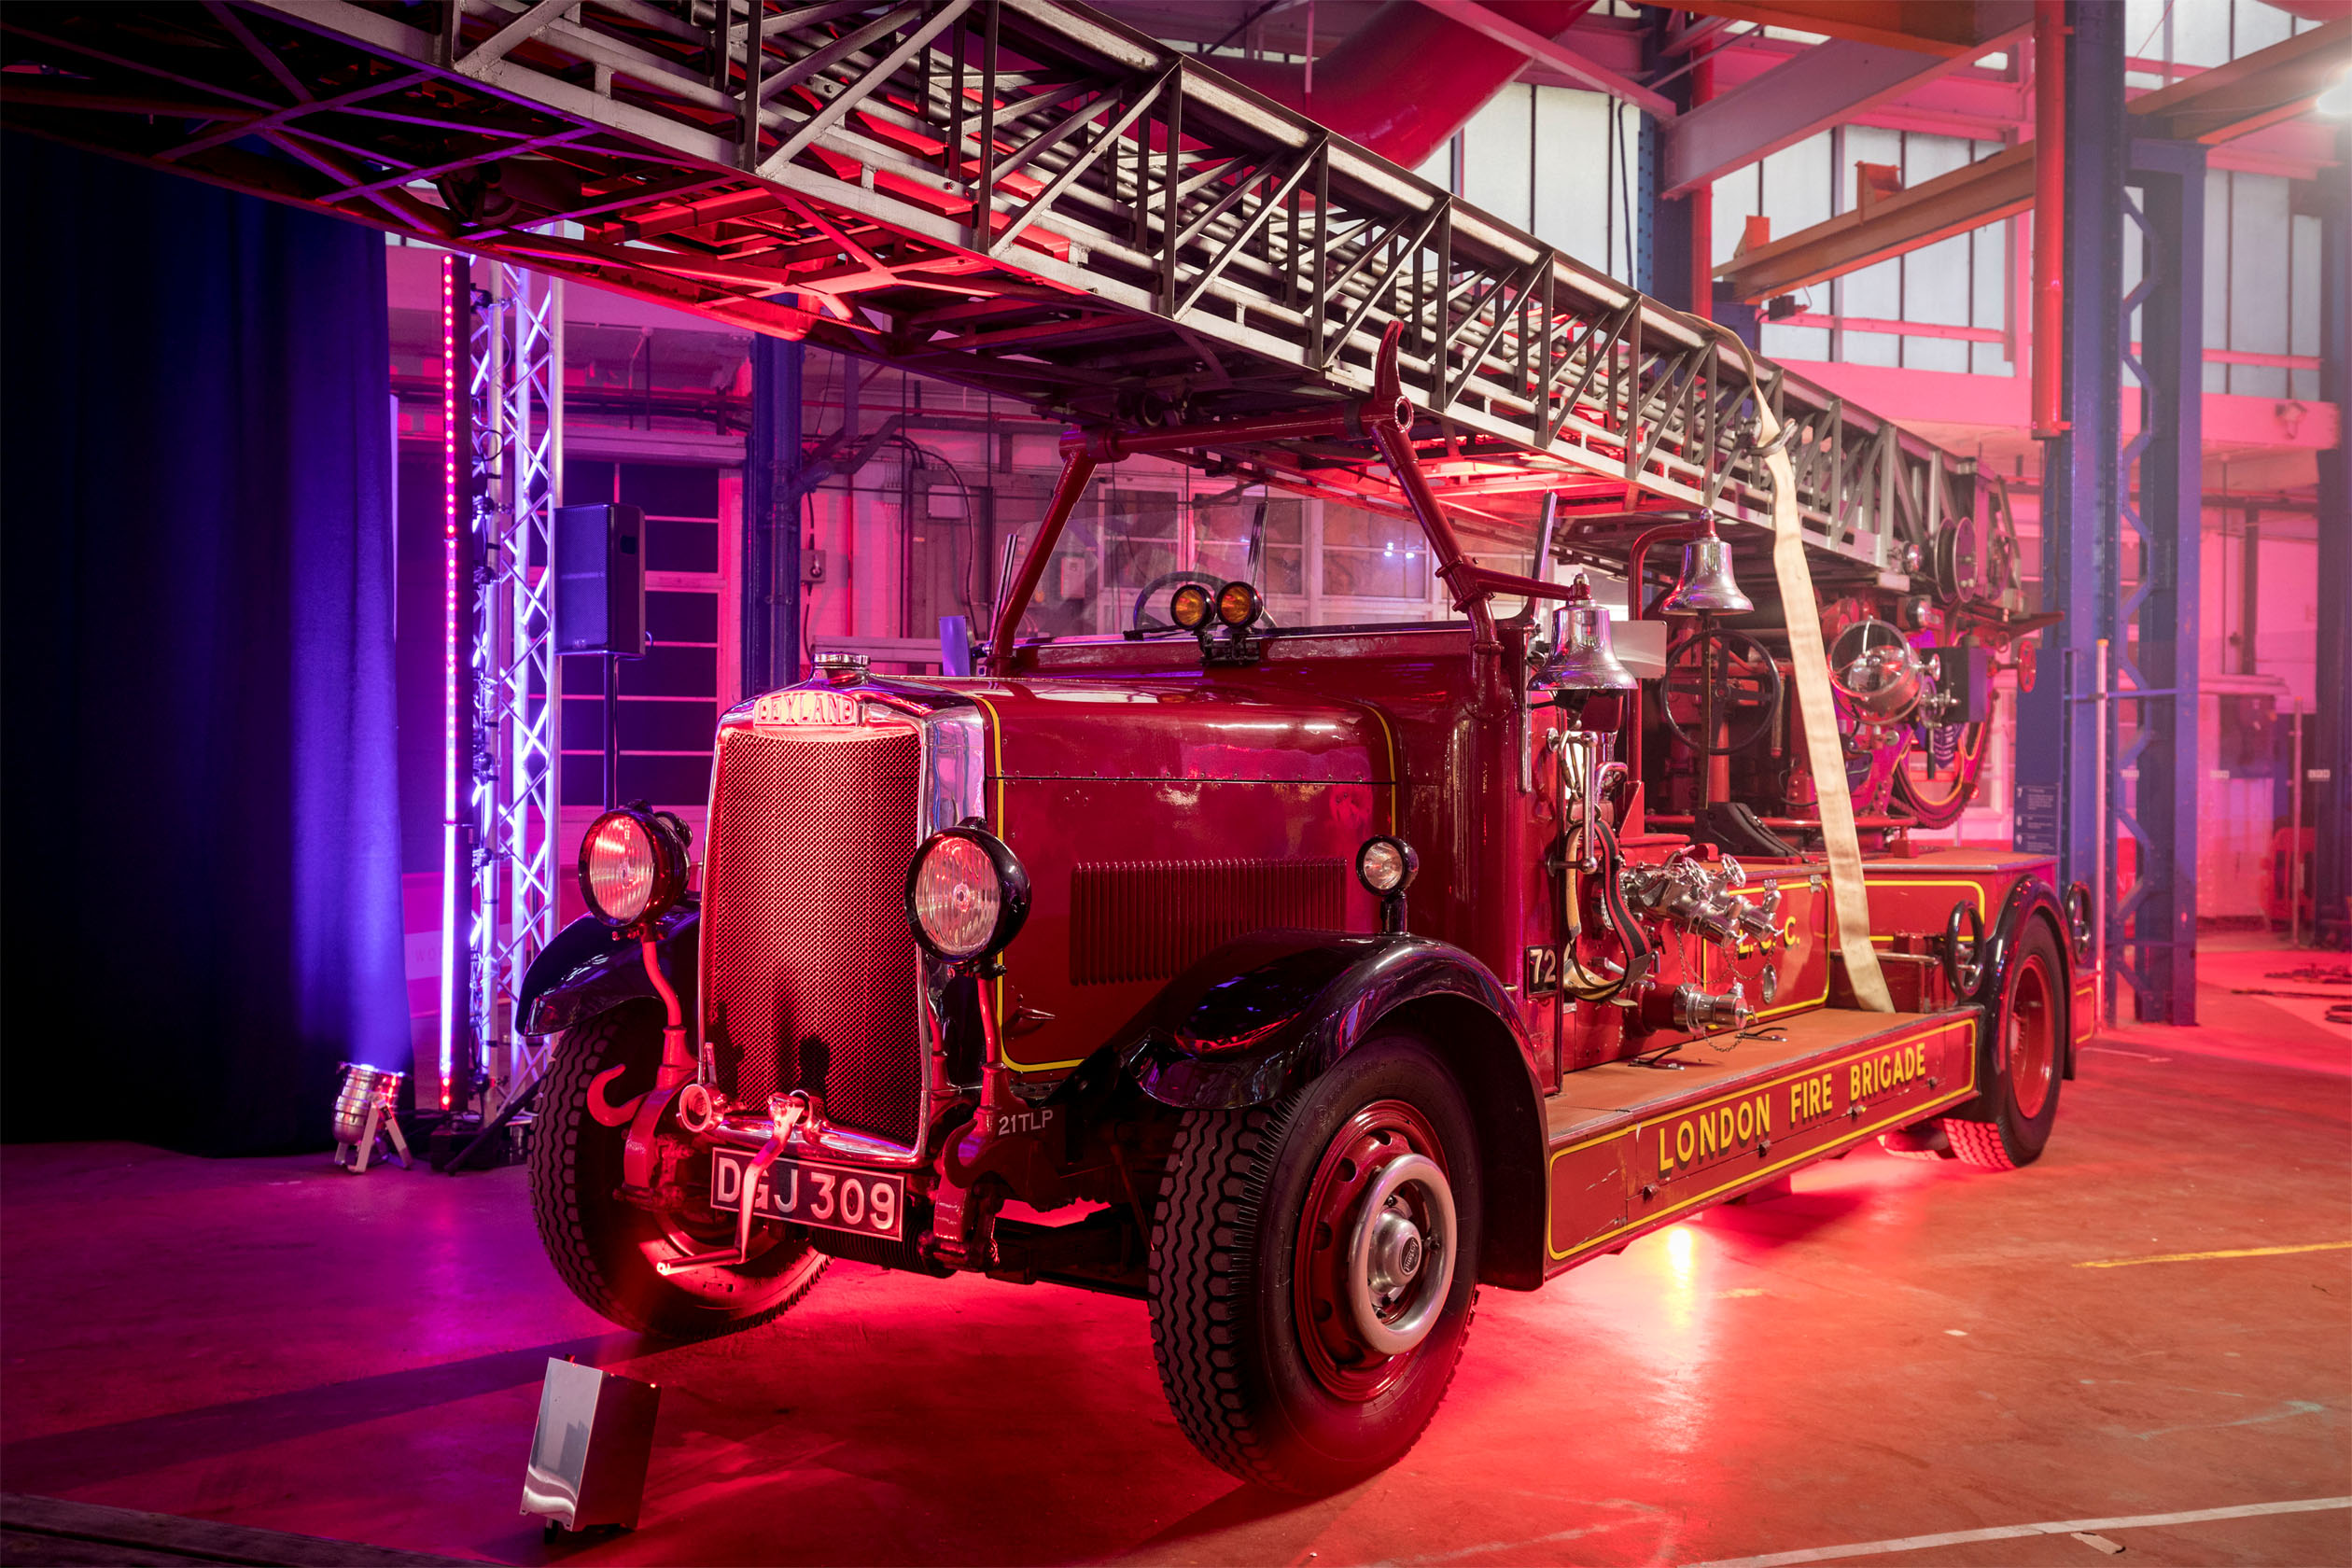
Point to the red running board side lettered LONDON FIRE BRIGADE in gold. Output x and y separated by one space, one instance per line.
1633 1146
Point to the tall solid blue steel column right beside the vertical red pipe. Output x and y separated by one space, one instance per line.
2057 786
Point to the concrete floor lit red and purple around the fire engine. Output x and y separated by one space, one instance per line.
1895 1351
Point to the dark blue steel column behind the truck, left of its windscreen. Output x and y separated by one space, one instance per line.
773 464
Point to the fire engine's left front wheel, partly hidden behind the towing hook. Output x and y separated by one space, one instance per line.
606 1249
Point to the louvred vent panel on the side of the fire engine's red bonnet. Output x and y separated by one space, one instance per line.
1147 920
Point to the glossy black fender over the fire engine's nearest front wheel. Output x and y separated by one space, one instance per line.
1269 1012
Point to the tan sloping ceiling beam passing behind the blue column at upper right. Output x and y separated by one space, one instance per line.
2212 107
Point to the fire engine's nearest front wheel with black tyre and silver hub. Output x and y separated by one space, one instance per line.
1316 1266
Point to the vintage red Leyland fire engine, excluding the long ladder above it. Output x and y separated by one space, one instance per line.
1302 981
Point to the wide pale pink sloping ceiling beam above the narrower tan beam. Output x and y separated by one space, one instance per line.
1819 88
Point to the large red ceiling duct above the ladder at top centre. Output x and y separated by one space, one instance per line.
1405 81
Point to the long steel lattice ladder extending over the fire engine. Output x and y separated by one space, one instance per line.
1020 196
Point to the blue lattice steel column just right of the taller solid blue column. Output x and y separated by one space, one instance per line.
2156 768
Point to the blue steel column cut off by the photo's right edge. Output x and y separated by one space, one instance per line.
2330 758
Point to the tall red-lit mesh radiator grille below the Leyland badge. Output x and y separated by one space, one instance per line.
808 960
